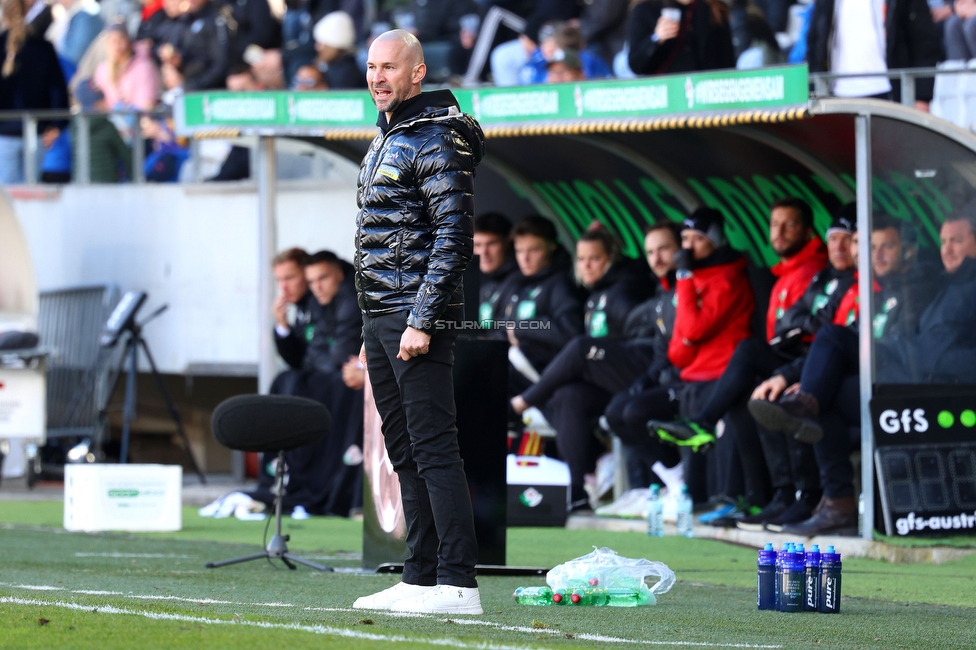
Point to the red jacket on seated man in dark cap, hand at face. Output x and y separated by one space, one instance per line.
713 315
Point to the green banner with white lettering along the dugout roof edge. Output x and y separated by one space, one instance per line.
598 100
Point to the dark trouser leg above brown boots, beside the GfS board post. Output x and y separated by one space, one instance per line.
833 452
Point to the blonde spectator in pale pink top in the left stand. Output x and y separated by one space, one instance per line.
127 77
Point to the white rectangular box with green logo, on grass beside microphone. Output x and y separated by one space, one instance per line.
136 498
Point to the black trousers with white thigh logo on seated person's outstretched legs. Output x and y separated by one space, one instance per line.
609 364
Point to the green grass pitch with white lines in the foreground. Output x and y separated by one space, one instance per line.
67 590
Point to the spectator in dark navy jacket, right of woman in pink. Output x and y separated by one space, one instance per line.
202 57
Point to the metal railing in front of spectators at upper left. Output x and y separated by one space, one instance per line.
81 145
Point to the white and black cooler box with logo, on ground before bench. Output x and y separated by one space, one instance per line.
538 495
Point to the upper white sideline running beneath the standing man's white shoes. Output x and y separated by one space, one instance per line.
459 621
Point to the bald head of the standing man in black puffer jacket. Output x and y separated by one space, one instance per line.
394 69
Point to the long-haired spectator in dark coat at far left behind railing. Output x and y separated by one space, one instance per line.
30 79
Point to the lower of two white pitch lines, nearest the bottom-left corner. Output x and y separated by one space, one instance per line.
314 629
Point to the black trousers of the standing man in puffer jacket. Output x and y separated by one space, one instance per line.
415 400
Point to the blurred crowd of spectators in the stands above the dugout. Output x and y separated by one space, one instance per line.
123 55
